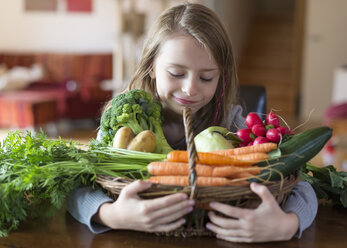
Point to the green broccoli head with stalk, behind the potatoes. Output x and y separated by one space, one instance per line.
137 110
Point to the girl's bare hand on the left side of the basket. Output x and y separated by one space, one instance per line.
155 215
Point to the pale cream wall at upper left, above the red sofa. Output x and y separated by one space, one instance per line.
57 31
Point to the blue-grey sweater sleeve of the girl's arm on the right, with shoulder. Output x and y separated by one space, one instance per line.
302 200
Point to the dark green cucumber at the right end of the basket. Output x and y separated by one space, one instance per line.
300 149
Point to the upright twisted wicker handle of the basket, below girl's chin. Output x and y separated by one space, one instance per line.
189 133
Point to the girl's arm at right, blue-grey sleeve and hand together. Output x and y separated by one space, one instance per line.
268 222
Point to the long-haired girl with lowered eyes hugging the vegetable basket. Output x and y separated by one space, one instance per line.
188 61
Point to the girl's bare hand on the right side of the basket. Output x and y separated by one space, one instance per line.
267 222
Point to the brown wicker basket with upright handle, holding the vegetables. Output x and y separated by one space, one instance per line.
240 196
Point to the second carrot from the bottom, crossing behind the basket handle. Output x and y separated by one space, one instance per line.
182 169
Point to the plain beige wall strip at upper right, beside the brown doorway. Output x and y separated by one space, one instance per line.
325 49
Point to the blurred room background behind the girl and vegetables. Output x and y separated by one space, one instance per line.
61 60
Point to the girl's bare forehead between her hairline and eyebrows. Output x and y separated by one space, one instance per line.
182 48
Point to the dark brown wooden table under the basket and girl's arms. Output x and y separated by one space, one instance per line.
328 230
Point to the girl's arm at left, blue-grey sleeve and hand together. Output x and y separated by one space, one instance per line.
100 213
